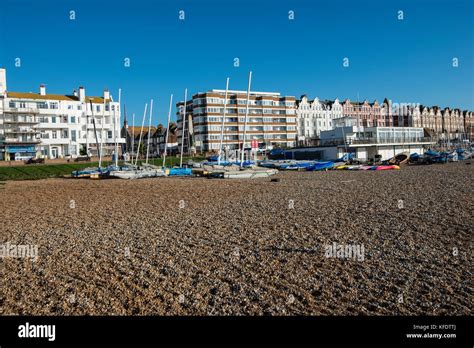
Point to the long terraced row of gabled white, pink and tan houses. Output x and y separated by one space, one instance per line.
439 124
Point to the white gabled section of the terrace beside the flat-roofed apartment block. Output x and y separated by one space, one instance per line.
315 116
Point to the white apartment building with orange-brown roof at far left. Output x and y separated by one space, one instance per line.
55 125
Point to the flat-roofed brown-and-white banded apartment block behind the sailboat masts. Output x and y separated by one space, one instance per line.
271 121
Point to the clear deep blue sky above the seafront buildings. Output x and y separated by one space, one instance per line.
407 61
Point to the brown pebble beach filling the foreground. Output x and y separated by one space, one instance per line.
197 246
